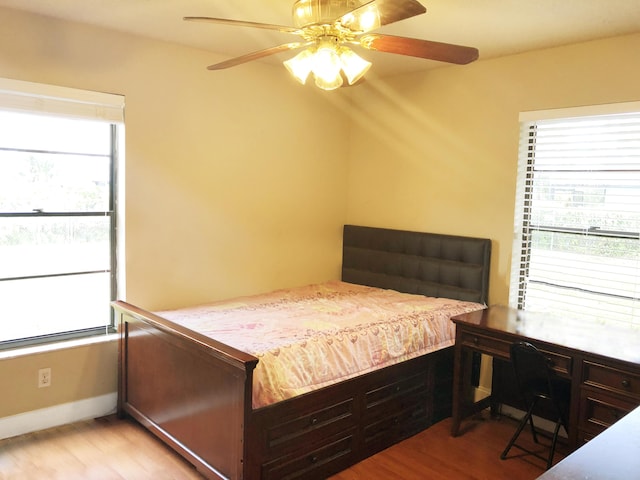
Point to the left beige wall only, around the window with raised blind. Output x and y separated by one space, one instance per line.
235 180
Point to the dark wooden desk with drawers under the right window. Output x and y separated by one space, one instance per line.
602 363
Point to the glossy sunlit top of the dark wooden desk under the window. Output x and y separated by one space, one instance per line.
617 342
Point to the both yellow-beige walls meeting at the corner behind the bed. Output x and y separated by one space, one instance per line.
240 181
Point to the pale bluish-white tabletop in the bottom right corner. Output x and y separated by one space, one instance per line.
612 455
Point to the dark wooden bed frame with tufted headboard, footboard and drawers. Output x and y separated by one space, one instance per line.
195 393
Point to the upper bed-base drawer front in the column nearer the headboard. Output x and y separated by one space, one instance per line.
400 395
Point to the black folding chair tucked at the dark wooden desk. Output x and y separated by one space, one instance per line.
536 381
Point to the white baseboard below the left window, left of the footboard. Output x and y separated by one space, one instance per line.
58 415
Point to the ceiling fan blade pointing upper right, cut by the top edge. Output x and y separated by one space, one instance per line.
376 13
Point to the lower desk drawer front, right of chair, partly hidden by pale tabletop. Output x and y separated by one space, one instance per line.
599 411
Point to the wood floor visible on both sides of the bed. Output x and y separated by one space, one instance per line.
113 449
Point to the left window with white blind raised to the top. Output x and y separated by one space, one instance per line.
58 157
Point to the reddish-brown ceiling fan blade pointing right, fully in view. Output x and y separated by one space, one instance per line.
443 52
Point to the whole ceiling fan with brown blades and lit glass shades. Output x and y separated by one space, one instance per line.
329 27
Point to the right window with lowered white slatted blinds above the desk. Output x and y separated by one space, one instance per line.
577 223
